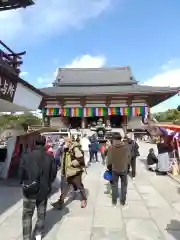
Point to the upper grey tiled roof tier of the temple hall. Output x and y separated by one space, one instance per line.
96 76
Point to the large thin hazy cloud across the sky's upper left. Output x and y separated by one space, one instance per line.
50 17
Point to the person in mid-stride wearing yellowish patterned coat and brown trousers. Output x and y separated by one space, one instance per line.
72 170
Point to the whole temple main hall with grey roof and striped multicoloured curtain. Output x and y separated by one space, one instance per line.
79 97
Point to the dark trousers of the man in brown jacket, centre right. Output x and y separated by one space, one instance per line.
124 183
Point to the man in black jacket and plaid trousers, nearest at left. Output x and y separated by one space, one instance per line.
37 172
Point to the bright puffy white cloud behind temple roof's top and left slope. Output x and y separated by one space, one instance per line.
84 61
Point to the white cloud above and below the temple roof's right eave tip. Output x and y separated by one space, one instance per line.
169 77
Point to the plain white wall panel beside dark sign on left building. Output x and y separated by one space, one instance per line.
26 98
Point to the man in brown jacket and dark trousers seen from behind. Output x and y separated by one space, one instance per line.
118 158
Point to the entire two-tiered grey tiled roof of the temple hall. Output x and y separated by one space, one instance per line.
104 81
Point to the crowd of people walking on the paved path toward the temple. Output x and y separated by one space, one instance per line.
39 168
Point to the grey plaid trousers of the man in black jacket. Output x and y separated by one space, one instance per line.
29 206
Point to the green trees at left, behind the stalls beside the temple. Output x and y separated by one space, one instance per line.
19 121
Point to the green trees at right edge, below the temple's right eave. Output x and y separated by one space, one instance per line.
171 115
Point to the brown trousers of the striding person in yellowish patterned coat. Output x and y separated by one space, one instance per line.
76 182
